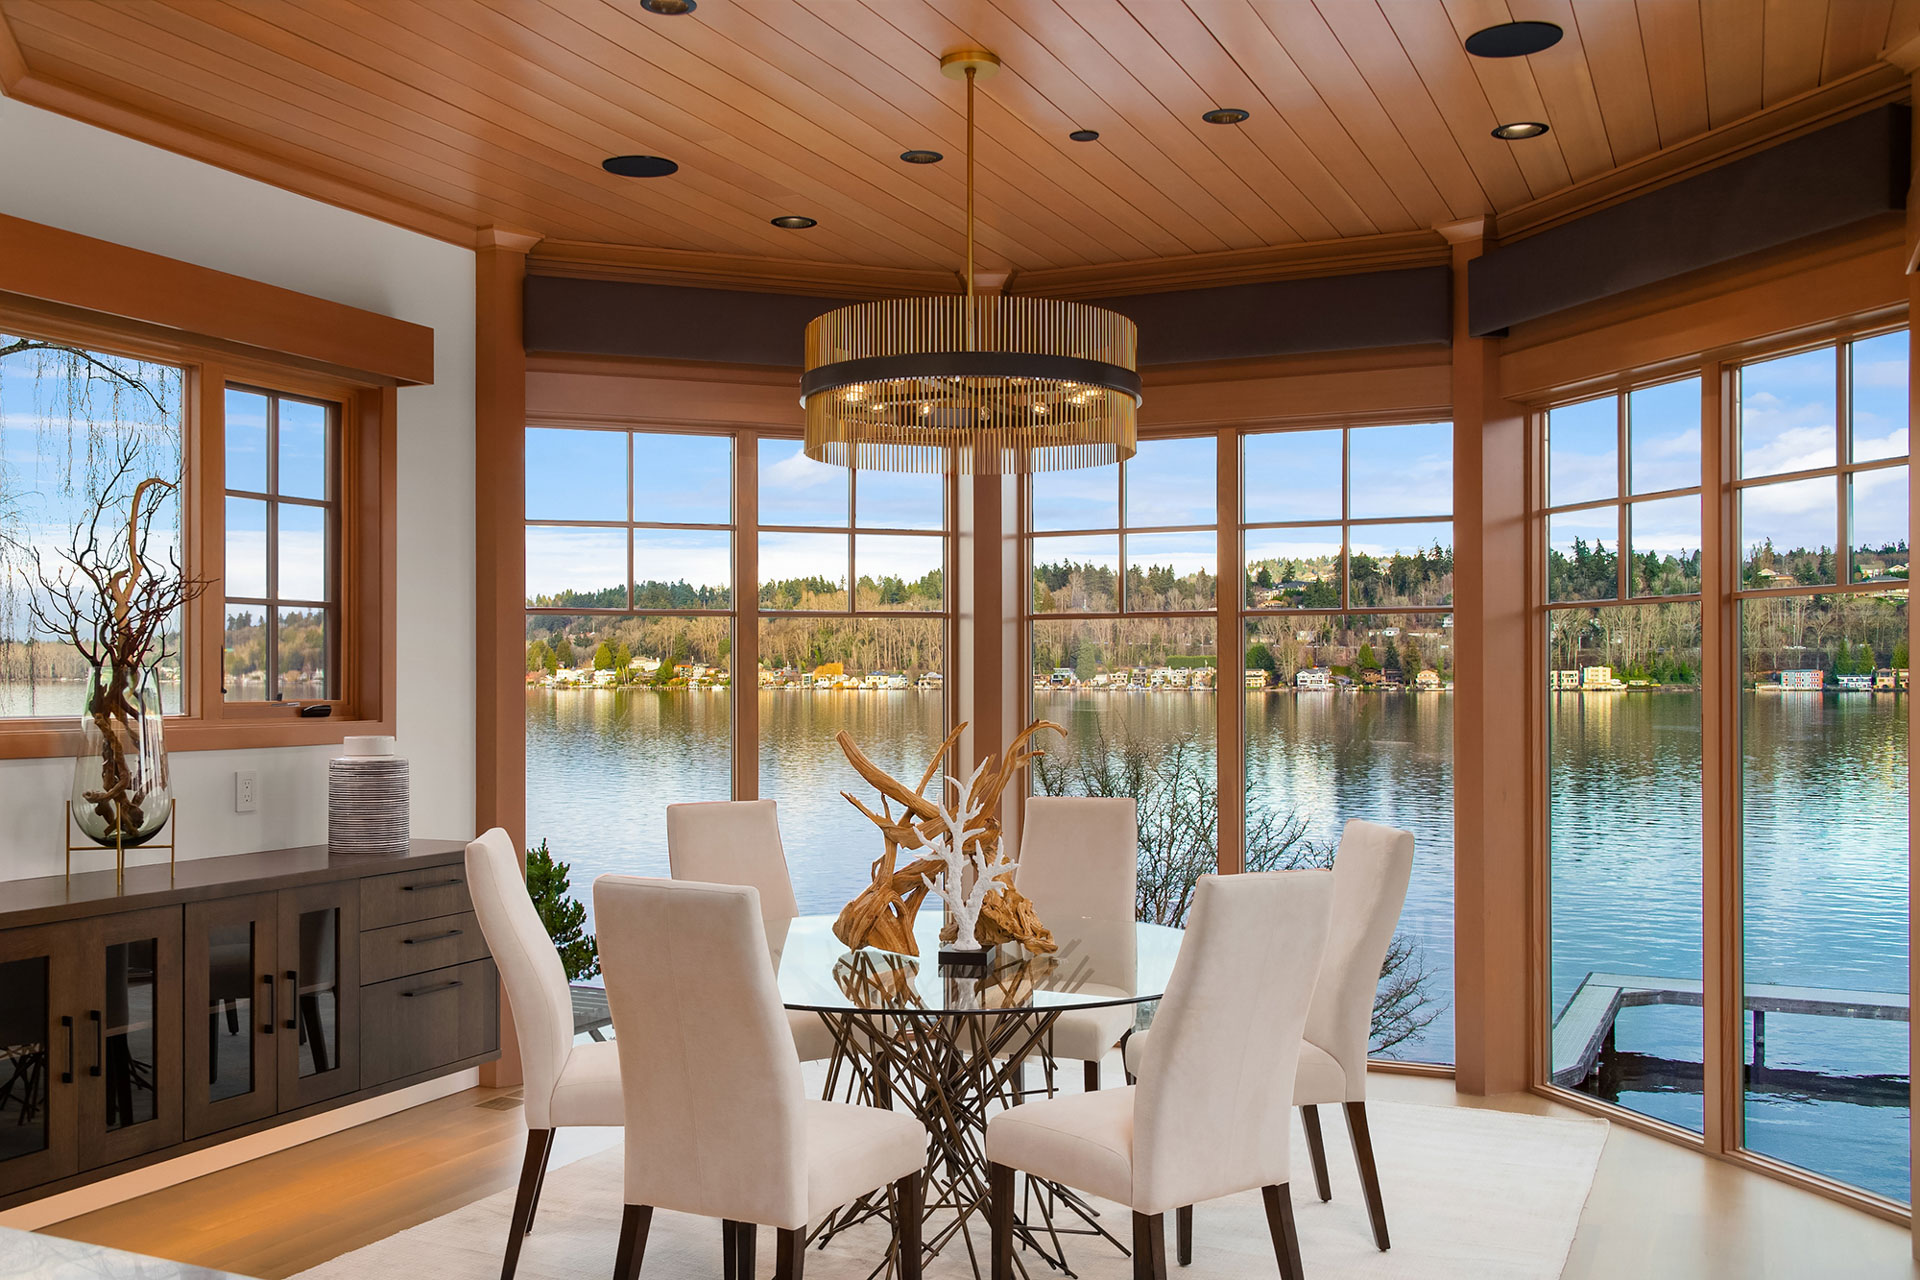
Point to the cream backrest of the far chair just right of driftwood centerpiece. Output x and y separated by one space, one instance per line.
1080 857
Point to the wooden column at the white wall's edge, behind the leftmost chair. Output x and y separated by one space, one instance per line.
500 561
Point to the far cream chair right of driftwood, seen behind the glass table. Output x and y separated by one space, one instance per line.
1080 861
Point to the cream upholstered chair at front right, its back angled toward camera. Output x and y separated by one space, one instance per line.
1209 1116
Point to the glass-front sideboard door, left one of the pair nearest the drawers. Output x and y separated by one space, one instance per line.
233 1012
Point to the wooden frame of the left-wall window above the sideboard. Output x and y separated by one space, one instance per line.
364 682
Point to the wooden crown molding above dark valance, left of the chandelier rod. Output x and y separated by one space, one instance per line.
734 272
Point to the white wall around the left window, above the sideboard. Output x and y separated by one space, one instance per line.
101 185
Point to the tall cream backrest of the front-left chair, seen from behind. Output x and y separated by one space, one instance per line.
708 1064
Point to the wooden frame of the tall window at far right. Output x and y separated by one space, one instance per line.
1719 602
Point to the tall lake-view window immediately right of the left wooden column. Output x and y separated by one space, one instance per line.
629 640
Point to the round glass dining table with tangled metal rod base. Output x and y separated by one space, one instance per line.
953 1045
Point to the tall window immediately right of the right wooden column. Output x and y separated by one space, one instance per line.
1623 719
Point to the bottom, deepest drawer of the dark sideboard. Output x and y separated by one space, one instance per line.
429 1020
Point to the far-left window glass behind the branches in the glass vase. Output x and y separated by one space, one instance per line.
68 415
